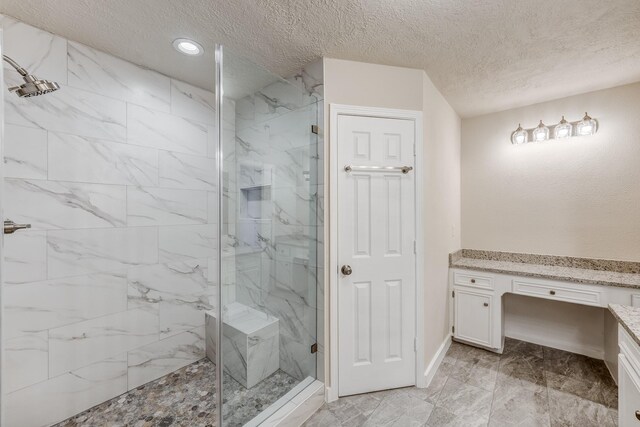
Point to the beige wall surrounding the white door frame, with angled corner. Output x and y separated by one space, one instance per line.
356 83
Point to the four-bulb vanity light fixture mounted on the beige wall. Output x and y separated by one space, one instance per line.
564 129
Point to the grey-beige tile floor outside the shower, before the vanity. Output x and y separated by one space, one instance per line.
528 385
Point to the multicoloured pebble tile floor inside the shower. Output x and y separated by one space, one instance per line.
185 398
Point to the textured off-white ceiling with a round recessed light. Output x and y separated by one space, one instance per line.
484 55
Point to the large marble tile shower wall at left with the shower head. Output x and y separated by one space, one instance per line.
116 174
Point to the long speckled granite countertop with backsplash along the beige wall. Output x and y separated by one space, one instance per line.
624 274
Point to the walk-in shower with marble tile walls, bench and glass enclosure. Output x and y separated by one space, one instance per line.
172 270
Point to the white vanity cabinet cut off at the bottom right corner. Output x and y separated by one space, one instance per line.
628 380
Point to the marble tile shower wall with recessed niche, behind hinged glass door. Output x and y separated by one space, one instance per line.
280 252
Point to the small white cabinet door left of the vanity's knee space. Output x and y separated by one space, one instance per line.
472 319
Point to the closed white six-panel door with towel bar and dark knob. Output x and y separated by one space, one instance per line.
376 233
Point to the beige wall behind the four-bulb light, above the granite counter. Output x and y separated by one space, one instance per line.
578 197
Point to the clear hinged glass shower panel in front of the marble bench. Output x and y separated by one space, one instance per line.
270 240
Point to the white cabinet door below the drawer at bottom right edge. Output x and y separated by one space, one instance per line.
629 394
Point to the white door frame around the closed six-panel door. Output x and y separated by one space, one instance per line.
335 111
